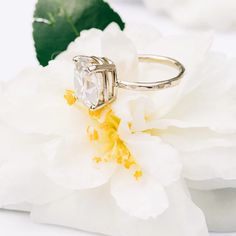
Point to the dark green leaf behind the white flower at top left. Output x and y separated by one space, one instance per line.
59 22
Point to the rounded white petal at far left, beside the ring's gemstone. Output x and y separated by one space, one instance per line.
35 102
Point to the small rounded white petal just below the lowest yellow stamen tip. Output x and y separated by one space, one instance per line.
143 199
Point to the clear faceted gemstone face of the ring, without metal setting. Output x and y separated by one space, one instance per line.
87 85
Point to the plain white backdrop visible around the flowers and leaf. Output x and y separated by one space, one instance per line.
16 52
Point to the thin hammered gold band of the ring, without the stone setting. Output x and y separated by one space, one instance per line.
163 84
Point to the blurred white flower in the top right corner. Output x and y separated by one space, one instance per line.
218 14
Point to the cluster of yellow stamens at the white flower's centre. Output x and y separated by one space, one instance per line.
104 135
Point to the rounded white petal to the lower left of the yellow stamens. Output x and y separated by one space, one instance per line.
71 165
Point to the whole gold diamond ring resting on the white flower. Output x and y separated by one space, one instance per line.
96 81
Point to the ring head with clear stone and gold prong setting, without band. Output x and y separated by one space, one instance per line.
94 81
